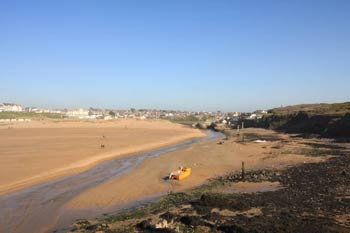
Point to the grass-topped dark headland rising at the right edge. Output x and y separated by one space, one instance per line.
325 120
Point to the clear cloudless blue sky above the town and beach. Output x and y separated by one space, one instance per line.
184 54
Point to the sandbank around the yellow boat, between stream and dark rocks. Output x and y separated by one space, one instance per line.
207 159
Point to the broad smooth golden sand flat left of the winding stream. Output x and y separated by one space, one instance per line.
33 152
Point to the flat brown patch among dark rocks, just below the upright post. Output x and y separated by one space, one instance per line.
251 187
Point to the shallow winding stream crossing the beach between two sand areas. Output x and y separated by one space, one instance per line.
40 207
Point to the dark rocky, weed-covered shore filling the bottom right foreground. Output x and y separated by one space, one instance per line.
312 197
